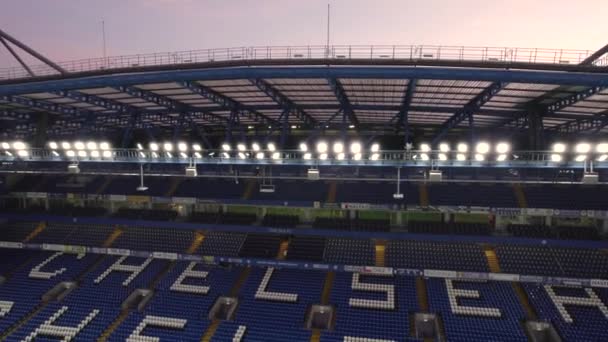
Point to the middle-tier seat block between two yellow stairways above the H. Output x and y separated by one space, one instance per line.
155 239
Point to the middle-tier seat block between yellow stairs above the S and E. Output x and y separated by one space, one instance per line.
435 255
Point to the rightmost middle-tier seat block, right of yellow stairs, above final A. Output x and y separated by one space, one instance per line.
550 261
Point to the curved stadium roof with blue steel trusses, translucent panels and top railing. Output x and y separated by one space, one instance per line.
367 87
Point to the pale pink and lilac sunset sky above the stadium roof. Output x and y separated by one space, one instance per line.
71 29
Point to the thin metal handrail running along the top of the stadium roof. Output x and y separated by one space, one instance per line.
335 52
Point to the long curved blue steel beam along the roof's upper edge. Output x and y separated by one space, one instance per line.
438 73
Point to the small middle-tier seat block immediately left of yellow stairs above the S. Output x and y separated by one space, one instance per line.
350 251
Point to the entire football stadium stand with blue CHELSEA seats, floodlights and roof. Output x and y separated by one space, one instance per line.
356 193
